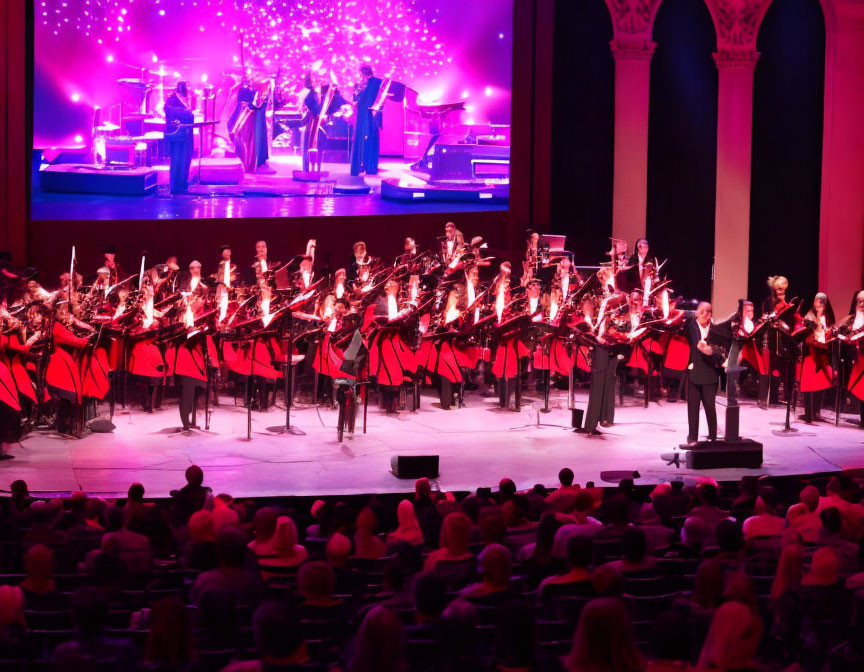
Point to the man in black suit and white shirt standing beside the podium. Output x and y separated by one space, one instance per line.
702 372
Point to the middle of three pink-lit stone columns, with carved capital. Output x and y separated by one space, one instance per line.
734 144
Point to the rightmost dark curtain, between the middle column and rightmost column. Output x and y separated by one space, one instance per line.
787 148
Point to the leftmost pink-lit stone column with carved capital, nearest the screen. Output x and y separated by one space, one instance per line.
632 84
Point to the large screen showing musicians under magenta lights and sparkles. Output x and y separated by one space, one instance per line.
163 109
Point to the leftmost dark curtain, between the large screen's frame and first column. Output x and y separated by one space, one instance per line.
583 120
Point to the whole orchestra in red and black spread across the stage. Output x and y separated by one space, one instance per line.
282 329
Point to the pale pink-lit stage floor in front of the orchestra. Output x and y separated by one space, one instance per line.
477 445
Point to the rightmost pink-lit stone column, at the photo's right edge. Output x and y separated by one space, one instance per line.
841 230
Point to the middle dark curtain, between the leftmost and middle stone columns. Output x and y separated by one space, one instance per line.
682 145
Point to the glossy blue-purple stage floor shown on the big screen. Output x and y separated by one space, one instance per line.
258 196
